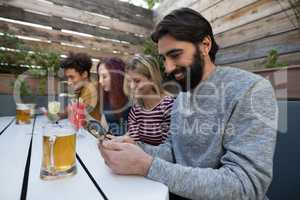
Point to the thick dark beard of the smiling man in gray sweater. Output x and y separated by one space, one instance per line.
192 74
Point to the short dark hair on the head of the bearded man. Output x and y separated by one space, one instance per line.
185 24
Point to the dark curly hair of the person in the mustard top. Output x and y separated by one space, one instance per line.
81 62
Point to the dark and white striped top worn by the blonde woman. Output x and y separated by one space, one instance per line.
150 126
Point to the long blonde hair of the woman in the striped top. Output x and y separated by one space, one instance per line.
147 66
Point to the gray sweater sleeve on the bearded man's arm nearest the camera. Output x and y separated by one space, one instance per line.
245 170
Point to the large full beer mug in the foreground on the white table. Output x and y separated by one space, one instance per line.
59 151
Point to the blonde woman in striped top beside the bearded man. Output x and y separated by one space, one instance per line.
149 118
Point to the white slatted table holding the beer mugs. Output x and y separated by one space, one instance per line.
20 162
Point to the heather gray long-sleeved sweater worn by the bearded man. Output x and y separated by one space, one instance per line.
222 140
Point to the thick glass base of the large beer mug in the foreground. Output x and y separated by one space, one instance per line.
46 175
